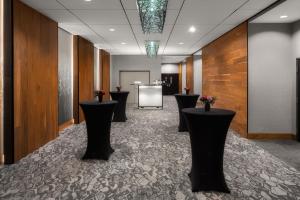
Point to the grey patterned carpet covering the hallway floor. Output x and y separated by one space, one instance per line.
151 161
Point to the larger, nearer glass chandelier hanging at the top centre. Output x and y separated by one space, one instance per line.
152 15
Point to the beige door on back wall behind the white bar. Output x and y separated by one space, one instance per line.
127 79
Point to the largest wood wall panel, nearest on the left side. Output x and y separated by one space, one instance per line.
35 79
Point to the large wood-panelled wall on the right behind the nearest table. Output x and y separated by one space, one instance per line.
225 66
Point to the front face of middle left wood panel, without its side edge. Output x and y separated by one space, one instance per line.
85 72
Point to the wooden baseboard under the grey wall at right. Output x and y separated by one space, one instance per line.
271 136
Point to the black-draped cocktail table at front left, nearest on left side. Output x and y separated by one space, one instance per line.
98 123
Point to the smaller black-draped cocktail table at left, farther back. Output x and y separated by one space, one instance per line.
120 110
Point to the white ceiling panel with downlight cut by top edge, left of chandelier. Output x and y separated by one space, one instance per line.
95 4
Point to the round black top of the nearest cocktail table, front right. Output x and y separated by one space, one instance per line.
212 112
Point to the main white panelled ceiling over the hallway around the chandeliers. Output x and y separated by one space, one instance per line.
92 20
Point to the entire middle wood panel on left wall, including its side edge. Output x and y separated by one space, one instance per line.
83 75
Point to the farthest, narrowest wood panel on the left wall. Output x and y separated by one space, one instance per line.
105 73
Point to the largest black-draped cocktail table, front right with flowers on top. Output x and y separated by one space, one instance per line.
208 132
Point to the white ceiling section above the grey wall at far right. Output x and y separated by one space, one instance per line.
290 8
